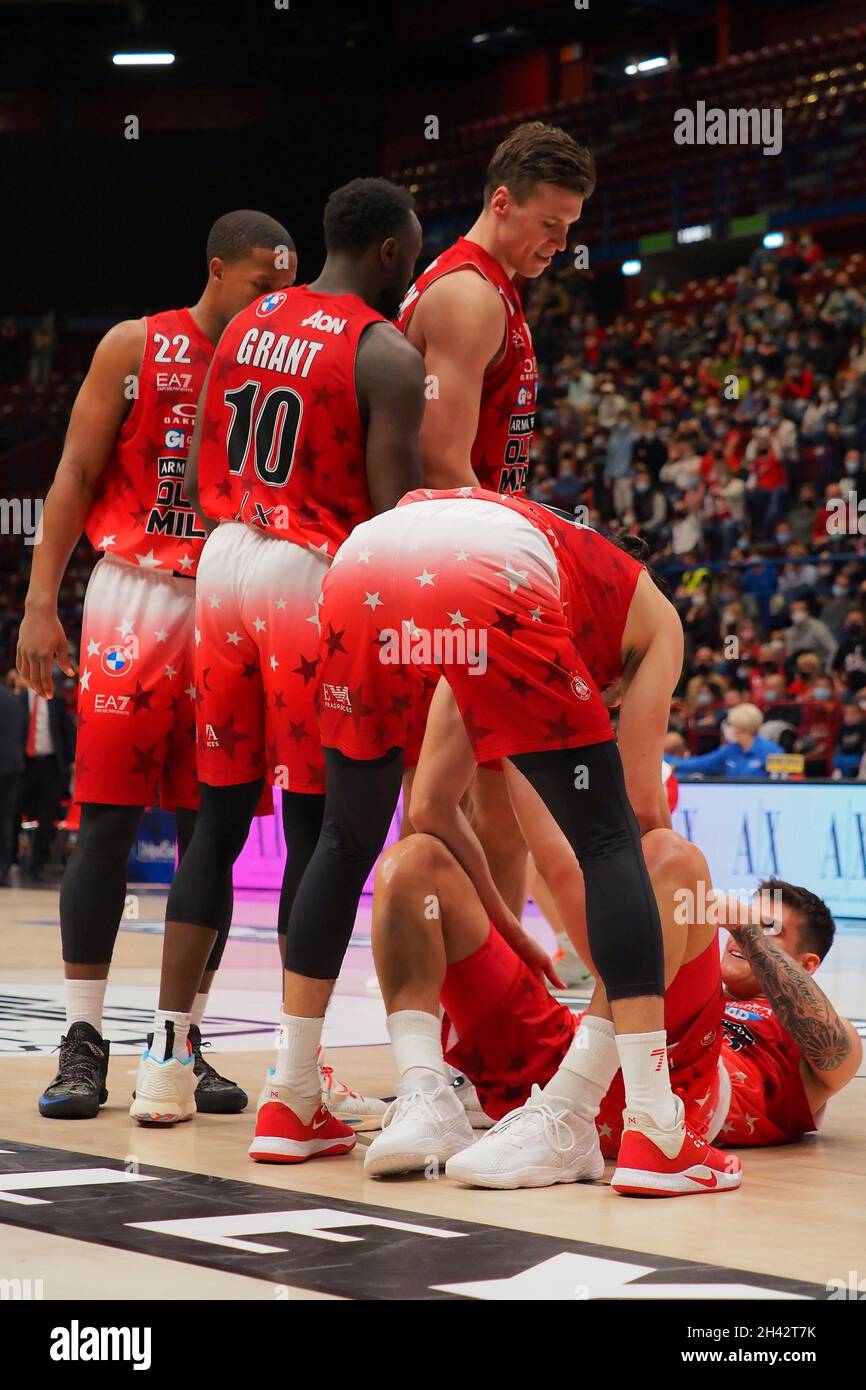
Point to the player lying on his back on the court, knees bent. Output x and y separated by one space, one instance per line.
755 1047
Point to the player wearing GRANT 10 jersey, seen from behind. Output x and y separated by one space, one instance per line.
309 426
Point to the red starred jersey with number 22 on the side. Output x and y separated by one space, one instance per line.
140 511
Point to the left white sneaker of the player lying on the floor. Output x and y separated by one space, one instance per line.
419 1129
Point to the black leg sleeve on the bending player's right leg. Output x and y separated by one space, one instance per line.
585 790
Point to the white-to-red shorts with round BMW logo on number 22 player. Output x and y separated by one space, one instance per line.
137 739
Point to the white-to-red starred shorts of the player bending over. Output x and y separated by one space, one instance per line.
462 589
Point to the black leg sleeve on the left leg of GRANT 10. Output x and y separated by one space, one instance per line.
202 889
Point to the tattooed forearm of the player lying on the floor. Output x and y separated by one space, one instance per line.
831 1047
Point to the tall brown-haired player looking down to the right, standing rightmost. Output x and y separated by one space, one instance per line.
465 316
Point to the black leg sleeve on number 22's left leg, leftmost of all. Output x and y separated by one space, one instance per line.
94 886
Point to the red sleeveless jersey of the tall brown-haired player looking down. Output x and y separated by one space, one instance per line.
501 452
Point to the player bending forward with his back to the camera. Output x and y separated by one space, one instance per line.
515 580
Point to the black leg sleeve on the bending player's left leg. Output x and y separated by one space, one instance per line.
359 804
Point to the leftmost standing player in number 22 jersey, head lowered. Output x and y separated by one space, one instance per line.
122 479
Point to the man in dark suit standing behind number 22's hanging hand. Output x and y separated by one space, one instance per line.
49 755
